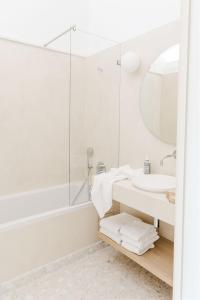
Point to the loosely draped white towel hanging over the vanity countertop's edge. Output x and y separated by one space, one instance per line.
101 193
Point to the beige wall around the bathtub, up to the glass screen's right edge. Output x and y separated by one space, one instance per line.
34 115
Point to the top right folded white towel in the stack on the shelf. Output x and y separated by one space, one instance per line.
137 231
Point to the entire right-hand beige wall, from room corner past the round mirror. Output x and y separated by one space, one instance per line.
102 101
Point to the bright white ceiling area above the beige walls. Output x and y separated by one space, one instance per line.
38 21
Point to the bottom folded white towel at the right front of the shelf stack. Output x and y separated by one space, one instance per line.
150 239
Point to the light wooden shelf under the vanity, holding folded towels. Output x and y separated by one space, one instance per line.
158 261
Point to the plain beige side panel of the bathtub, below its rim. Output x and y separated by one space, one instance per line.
35 244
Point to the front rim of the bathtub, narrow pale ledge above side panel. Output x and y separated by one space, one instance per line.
43 216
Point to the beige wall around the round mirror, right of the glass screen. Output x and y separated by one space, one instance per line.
135 139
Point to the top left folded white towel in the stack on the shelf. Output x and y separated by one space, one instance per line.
115 223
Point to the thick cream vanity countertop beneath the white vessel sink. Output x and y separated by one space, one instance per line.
154 204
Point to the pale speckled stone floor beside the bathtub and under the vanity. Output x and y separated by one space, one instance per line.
101 275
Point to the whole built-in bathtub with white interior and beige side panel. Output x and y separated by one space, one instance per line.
38 227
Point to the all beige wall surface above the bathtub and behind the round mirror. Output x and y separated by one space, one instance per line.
39 157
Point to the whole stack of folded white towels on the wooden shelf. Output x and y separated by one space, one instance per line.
130 232
